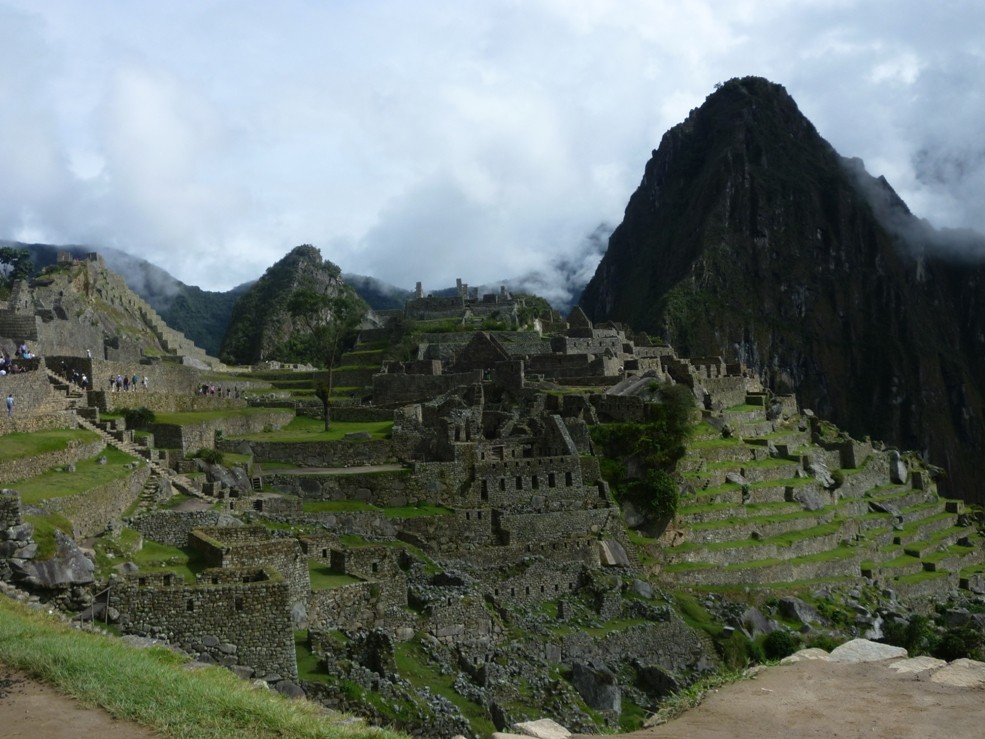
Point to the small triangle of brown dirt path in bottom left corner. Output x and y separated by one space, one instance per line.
30 710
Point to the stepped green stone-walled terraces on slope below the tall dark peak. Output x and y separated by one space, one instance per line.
759 512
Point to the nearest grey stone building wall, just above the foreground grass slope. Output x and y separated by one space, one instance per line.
235 617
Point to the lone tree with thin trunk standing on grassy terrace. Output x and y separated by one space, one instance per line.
330 322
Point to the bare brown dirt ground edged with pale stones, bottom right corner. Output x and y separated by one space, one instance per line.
823 699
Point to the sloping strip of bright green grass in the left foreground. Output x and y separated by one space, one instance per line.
150 687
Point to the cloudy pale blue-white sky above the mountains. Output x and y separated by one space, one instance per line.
436 139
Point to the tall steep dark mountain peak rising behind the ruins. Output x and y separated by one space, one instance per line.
750 237
